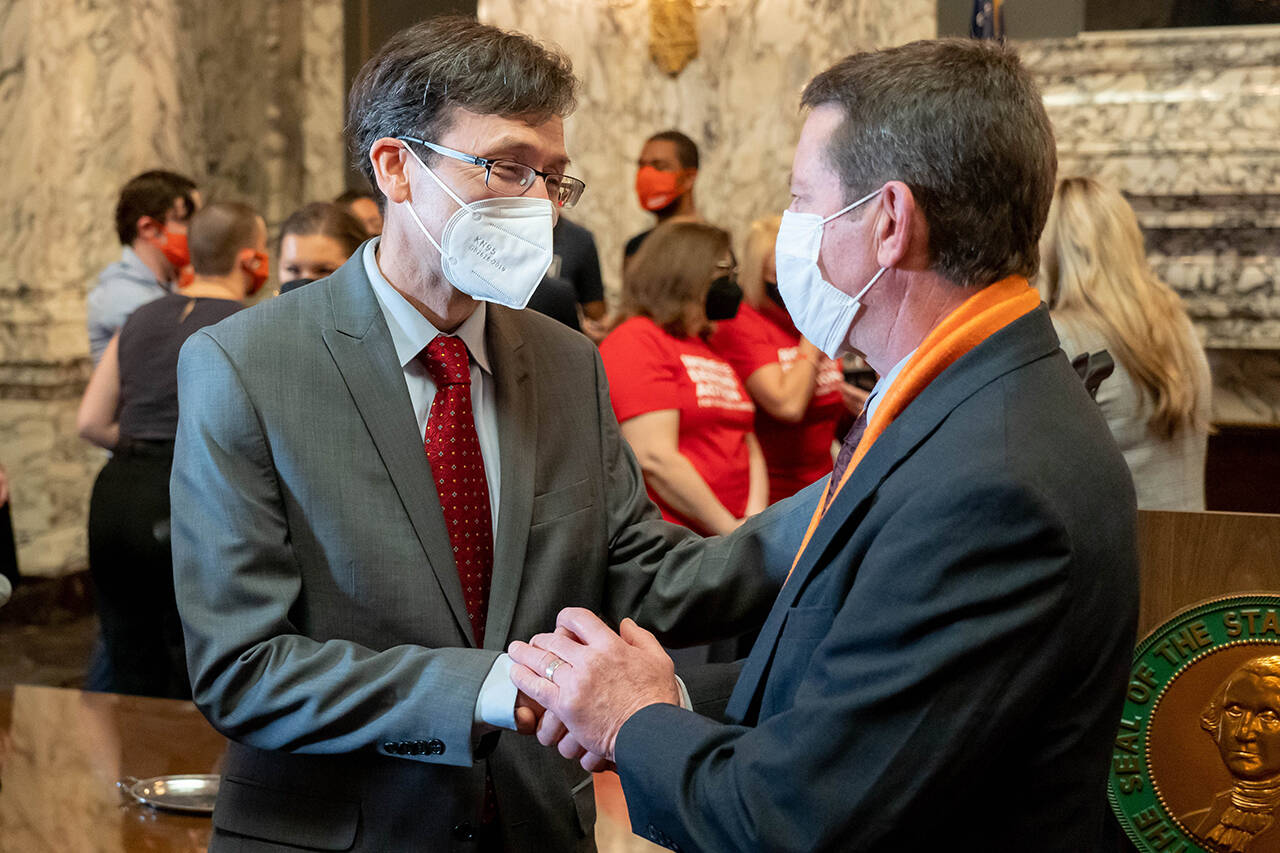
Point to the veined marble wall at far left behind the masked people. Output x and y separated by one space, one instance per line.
248 98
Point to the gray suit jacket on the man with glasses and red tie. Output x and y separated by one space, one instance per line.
326 626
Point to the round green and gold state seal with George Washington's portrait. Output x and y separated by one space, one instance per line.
1196 763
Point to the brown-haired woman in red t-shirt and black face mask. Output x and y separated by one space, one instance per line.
682 408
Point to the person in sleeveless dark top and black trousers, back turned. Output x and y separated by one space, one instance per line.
131 408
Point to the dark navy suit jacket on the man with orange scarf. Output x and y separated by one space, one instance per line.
947 665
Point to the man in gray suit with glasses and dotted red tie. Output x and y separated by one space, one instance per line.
385 477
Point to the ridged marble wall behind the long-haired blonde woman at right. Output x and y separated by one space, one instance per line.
1188 125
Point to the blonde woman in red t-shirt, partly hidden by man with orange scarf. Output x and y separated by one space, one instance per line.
796 387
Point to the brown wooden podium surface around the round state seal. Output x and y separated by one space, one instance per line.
1191 558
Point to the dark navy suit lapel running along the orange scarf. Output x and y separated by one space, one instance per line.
1021 343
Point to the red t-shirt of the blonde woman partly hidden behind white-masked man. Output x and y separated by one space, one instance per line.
796 454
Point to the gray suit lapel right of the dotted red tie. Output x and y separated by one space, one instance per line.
516 398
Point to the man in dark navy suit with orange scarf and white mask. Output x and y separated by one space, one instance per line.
947 662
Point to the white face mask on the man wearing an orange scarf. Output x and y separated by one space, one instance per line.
821 311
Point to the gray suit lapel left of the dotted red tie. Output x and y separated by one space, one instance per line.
362 349
